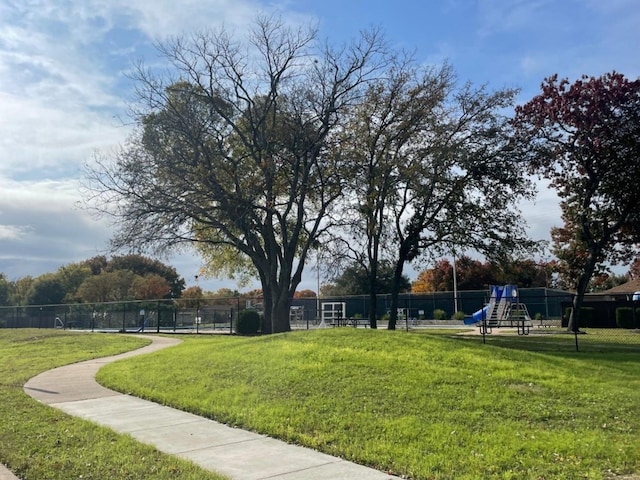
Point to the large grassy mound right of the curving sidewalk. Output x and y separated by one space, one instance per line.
420 405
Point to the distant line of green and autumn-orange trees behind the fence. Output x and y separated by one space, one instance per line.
136 277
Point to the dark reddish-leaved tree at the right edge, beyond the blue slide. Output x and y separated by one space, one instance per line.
585 139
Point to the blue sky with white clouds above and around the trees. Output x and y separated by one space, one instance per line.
63 86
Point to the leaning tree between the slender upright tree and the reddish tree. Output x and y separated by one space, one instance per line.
462 189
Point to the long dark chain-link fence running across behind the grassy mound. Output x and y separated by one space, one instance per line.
607 323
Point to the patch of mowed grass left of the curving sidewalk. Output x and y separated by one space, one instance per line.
39 442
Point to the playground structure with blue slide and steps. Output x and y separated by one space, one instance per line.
503 310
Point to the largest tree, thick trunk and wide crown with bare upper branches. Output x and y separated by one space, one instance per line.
231 149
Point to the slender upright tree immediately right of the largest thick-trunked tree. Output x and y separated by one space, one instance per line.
381 138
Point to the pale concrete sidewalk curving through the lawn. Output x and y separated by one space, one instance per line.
238 454
